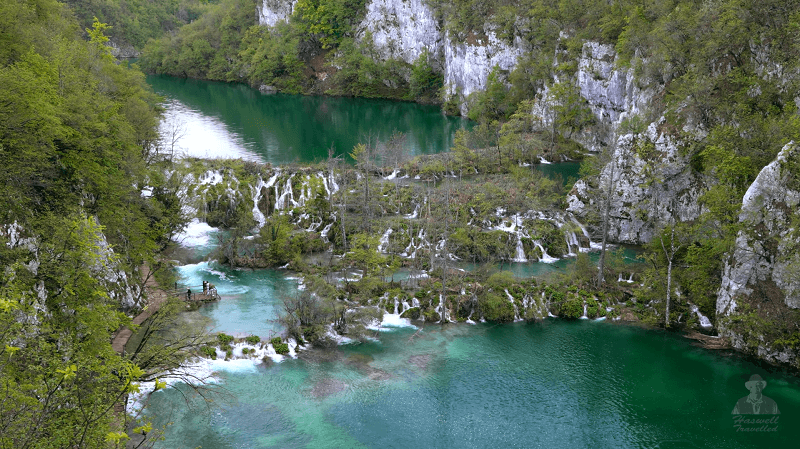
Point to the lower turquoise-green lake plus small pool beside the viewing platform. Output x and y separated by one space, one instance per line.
585 383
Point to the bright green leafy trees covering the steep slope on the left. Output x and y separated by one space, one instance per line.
78 140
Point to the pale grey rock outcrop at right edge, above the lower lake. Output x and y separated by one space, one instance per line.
762 275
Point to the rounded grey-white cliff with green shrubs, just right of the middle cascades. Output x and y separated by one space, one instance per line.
652 184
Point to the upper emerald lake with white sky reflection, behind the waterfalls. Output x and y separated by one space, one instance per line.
233 120
